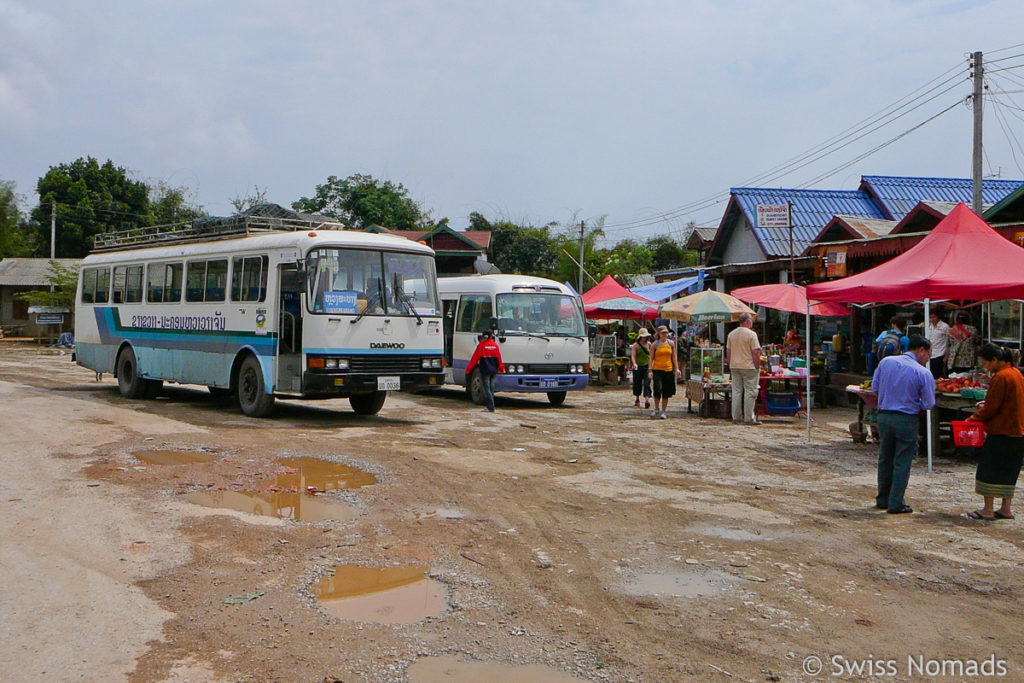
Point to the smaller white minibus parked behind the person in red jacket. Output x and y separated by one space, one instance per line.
539 324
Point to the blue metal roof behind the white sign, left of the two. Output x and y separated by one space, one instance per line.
813 209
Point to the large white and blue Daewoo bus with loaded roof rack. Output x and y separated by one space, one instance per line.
260 308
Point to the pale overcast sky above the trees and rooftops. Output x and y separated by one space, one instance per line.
529 111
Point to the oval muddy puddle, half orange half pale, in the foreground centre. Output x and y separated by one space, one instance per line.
392 595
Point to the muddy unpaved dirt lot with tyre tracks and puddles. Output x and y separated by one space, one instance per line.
582 542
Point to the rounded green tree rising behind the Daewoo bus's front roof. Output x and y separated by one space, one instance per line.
362 201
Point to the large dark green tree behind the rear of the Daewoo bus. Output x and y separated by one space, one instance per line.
92 198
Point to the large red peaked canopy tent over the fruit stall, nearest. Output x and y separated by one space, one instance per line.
961 260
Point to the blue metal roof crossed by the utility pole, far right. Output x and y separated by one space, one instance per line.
899 195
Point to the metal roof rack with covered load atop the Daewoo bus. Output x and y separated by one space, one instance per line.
263 219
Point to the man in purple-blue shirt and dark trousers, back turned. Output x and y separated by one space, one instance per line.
906 388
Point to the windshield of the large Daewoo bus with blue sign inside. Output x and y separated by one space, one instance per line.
352 282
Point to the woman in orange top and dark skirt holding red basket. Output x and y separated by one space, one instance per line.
1003 413
